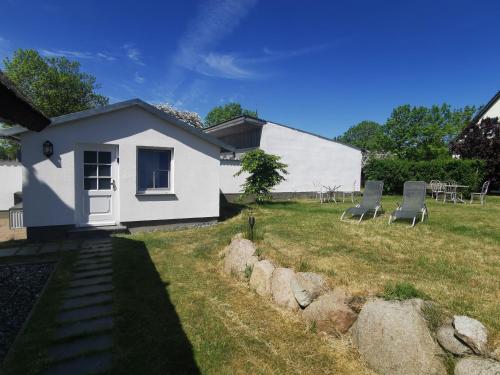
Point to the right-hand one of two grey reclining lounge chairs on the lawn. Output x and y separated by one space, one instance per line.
413 203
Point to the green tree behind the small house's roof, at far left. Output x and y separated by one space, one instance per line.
54 85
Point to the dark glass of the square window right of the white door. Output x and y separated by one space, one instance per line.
153 167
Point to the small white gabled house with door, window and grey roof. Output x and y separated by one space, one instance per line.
127 163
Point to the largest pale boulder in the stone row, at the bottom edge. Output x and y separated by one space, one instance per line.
393 338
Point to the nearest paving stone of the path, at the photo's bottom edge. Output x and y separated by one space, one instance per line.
90 364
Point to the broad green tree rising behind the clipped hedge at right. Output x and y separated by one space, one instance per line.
421 133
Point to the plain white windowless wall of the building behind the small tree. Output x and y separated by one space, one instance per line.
309 158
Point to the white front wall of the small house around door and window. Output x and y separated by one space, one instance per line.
49 184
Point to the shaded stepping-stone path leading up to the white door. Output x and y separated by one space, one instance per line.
83 340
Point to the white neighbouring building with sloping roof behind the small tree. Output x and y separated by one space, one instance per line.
312 159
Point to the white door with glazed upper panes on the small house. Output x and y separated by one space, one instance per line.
97 185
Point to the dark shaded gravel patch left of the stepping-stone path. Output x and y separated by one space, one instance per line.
20 287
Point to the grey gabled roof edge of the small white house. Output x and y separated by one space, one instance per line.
16 130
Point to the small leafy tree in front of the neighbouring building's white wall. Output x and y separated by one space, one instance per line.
266 171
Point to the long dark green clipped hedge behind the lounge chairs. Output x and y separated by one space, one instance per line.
394 172
